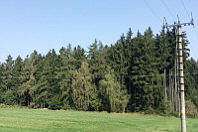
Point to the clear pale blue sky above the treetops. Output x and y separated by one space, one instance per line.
28 25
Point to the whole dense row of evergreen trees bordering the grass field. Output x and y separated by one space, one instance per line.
137 73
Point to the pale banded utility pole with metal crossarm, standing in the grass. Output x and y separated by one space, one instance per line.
178 26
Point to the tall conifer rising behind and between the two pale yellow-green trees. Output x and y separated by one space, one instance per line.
97 59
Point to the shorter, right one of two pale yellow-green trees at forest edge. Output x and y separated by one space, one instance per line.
114 95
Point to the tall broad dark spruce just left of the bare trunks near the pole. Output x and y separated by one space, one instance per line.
144 72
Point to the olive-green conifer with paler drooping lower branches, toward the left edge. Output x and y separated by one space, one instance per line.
30 75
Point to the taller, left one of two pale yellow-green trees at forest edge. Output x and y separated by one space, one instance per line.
83 93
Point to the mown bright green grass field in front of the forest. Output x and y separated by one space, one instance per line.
39 120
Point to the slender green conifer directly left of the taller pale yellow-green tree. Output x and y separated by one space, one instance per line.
64 74
